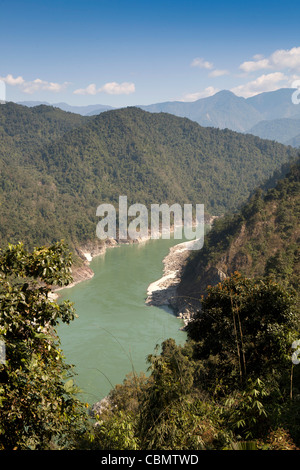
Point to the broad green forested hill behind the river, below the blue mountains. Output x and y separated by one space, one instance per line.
57 167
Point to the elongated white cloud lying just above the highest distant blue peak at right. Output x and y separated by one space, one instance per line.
269 82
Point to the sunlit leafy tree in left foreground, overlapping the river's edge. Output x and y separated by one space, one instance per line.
38 406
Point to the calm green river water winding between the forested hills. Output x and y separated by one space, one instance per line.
115 330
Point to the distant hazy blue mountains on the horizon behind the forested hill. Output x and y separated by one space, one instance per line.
270 115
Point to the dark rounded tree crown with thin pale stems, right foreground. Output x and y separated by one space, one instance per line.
248 326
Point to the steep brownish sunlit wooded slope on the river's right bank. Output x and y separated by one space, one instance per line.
262 239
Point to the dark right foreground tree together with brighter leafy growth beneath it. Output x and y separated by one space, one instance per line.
242 340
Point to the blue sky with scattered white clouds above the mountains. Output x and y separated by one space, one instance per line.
122 53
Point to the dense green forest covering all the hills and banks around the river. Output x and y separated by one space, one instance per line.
235 383
